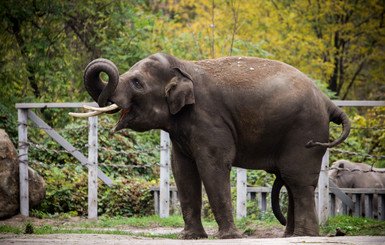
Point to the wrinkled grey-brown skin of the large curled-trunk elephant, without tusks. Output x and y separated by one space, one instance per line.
236 111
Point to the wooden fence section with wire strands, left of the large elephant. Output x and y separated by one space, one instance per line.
25 113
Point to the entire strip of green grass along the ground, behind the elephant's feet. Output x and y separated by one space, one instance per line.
353 226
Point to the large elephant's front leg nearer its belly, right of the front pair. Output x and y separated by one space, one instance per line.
217 184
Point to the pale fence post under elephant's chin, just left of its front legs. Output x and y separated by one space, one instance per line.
164 195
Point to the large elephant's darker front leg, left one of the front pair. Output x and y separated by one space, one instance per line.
190 195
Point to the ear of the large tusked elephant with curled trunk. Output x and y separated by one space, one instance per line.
179 91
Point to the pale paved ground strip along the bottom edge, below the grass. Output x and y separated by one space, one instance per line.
8 238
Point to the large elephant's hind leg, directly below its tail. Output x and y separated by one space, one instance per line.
299 168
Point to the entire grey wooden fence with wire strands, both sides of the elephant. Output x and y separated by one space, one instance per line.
25 113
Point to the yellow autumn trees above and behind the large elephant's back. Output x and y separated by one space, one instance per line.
339 43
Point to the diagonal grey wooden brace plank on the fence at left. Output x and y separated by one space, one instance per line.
63 142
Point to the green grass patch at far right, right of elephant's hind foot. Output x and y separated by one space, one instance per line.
354 226
